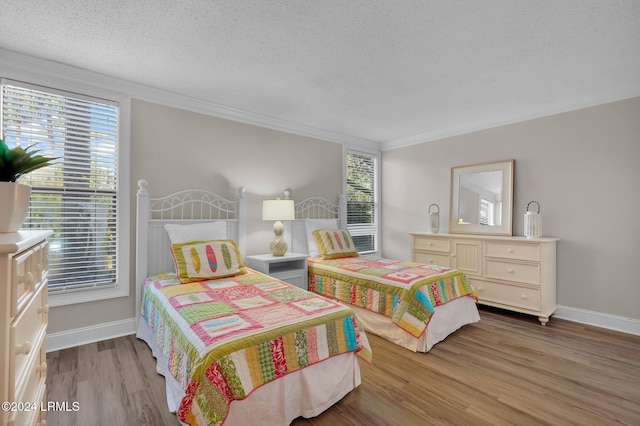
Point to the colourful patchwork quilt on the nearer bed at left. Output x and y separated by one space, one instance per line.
224 338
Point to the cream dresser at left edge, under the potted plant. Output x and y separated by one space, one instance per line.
23 325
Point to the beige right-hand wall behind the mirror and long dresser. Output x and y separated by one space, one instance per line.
584 169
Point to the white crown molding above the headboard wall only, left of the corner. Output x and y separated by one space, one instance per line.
22 67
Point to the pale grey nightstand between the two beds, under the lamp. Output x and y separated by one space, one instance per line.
291 268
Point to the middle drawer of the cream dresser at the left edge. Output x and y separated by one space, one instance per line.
27 329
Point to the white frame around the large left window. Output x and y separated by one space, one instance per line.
121 287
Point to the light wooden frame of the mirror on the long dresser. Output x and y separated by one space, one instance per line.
506 227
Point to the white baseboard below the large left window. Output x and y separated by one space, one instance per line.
85 335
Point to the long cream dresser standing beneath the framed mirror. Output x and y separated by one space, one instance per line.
514 273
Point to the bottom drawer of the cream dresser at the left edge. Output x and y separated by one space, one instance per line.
31 392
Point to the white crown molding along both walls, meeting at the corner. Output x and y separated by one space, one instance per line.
35 70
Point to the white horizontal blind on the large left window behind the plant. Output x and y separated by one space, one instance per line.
76 196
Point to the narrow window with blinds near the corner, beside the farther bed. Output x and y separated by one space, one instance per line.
362 199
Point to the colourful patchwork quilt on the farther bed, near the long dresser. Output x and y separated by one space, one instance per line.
406 292
